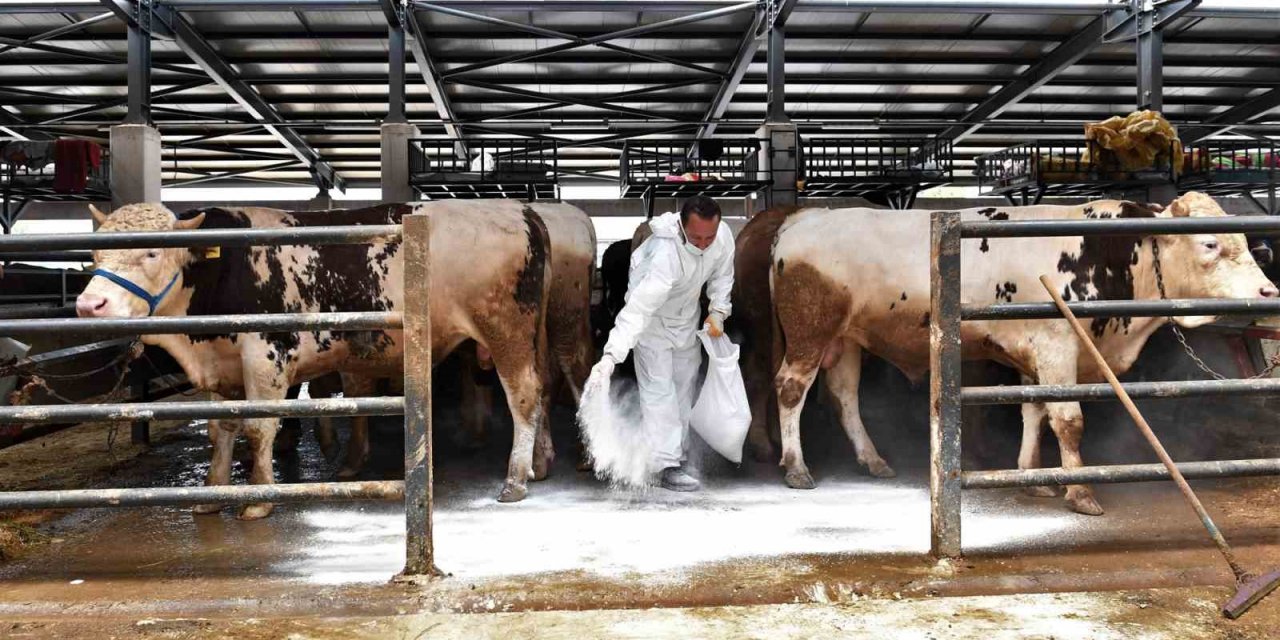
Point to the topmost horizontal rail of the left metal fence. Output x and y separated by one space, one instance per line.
339 235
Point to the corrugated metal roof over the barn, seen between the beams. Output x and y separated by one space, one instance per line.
909 72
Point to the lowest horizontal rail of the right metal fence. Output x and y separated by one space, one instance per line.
1105 474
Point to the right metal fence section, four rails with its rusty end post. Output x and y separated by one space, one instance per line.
947 394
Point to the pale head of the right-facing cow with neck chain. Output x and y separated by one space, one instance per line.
1209 266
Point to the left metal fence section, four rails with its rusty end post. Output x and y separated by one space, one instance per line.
415 405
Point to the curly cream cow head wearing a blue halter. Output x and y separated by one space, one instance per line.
135 282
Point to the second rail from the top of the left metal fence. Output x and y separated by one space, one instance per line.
193 326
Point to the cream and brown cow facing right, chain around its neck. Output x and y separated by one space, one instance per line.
851 281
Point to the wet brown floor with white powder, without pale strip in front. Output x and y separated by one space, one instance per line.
574 543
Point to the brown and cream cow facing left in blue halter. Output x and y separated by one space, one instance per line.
490 282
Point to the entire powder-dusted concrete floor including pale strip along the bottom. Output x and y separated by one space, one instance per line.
577 545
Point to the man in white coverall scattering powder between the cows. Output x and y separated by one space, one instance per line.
660 322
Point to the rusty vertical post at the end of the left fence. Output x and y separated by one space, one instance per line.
419 554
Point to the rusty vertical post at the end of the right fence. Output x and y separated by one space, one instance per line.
945 383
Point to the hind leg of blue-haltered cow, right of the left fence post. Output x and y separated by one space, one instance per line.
524 390
